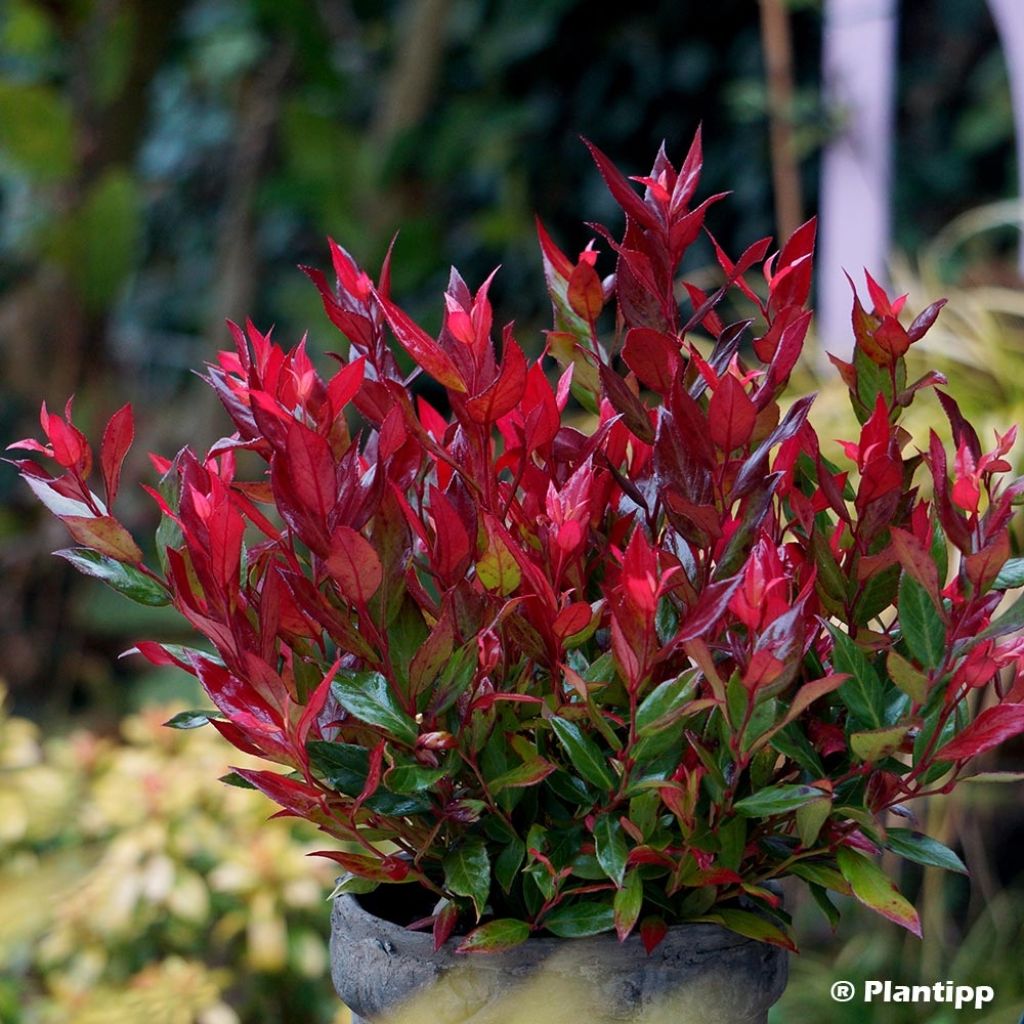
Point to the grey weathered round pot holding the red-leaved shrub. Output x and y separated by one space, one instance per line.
700 974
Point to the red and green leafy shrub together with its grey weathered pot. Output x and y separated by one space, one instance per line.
599 660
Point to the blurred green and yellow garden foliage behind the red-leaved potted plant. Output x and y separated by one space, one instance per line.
166 165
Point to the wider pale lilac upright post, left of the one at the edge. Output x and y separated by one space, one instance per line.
860 76
